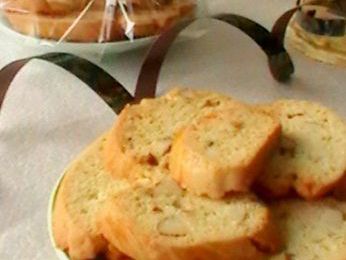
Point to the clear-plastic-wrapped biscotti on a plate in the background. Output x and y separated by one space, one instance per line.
94 21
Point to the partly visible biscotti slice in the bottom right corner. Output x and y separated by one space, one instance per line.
312 230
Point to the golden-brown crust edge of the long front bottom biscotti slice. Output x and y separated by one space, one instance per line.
133 242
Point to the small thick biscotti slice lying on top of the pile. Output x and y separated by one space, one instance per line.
223 151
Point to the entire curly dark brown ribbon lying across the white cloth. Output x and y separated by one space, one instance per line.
116 95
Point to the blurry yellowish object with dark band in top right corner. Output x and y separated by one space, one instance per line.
319 30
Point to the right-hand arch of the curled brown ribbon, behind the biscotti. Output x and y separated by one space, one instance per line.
280 63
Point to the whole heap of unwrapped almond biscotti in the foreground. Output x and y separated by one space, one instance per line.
199 175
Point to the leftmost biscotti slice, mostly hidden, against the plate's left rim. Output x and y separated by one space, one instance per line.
82 193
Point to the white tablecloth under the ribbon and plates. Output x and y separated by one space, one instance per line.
49 116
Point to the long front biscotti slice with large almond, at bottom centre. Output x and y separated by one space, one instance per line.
152 222
